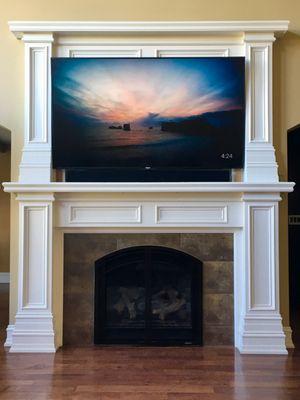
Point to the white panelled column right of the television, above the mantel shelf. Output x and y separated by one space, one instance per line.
260 162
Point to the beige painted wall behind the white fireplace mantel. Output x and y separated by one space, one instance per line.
286 69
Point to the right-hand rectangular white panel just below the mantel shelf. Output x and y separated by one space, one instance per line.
186 214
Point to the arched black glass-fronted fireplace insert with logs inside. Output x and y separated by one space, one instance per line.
148 295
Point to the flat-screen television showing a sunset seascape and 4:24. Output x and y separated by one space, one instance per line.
161 113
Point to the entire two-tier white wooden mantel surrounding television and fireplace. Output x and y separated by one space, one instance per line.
246 207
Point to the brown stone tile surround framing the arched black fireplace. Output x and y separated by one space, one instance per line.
214 250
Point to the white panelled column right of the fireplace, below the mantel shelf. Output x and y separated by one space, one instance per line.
258 321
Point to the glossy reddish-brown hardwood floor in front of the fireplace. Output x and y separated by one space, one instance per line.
136 373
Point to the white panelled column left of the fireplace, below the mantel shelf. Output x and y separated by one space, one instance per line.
33 331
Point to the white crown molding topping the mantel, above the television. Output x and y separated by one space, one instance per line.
19 28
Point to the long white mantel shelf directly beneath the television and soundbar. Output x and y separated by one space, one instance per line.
157 187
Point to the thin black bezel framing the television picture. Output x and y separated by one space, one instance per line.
174 169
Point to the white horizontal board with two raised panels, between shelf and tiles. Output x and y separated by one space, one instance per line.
148 213
